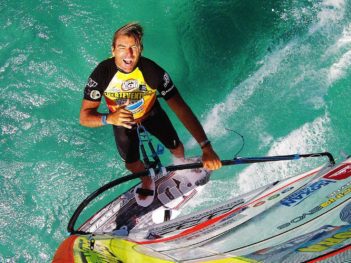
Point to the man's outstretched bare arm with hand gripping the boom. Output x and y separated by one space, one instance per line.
187 117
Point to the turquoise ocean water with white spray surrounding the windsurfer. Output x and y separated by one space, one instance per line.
277 72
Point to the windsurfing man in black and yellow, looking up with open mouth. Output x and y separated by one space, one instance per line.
129 83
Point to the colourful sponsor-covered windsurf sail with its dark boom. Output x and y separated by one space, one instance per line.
304 218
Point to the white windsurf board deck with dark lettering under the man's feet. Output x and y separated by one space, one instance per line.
173 191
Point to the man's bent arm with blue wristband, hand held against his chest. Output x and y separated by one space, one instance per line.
90 117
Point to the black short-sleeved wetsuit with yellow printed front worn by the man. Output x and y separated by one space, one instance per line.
140 87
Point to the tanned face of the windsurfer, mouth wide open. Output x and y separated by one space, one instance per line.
127 52
